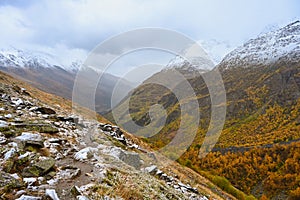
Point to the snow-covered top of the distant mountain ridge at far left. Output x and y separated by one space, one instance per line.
13 57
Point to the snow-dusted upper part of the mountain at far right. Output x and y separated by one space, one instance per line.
267 48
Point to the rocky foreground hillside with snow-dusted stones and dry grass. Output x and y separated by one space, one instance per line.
46 153
